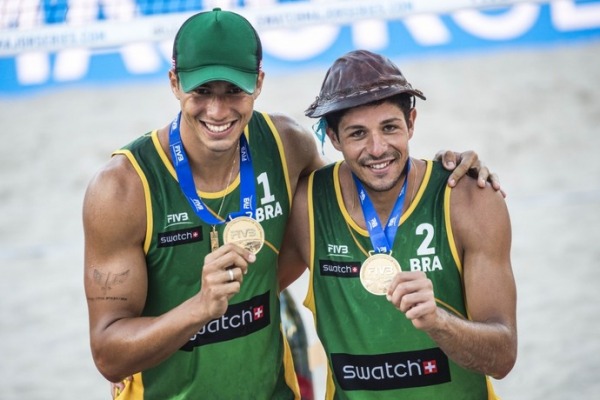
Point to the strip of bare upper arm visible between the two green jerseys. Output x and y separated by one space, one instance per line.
293 255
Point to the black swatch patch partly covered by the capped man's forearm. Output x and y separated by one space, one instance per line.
240 320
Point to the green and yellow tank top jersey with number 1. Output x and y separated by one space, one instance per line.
243 354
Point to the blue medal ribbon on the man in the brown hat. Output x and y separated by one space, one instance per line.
382 239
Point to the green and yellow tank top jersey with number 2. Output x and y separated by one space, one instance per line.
373 351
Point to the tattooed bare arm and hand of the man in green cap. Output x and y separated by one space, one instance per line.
115 278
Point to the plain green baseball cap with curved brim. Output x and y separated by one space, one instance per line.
217 45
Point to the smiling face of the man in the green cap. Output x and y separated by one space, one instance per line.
215 113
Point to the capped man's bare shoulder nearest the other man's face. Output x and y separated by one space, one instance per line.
299 144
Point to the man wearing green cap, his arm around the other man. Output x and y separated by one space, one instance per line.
183 227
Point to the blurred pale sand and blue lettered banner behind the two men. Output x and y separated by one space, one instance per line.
516 81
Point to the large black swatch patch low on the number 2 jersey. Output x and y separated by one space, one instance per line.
391 371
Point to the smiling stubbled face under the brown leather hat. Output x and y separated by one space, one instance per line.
374 142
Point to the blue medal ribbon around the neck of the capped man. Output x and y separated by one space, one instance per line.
186 179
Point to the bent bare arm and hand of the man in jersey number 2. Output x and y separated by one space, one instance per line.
488 342
